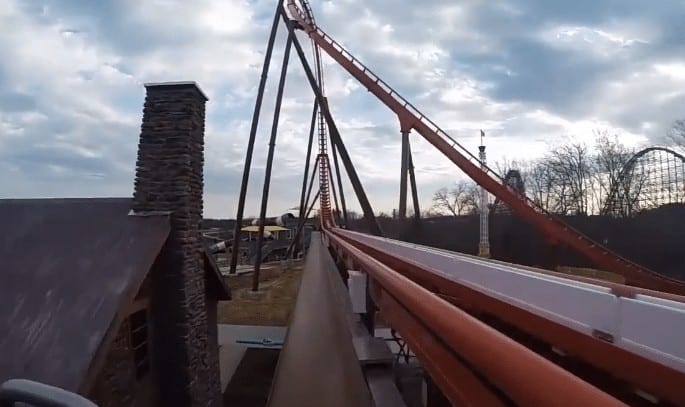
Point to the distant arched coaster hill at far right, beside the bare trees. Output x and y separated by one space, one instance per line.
651 178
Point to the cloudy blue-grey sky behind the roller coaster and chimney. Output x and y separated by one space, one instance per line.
531 73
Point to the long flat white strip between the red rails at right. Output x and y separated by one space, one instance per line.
651 327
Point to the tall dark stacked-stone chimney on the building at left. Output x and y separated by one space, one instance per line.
169 179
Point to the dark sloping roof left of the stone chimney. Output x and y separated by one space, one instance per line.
66 268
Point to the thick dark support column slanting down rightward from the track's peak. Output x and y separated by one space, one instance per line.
374 228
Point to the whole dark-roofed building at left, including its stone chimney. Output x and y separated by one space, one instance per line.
116 298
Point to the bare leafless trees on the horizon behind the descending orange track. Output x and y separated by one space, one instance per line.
571 179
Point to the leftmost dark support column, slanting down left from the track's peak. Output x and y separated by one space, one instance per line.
250 144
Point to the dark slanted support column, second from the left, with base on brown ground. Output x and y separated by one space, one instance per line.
269 163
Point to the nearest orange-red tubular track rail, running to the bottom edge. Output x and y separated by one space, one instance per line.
525 377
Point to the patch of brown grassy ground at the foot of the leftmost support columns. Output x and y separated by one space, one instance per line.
272 305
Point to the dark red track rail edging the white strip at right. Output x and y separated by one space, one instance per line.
633 371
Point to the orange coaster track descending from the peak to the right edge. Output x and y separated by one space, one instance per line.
411 118
